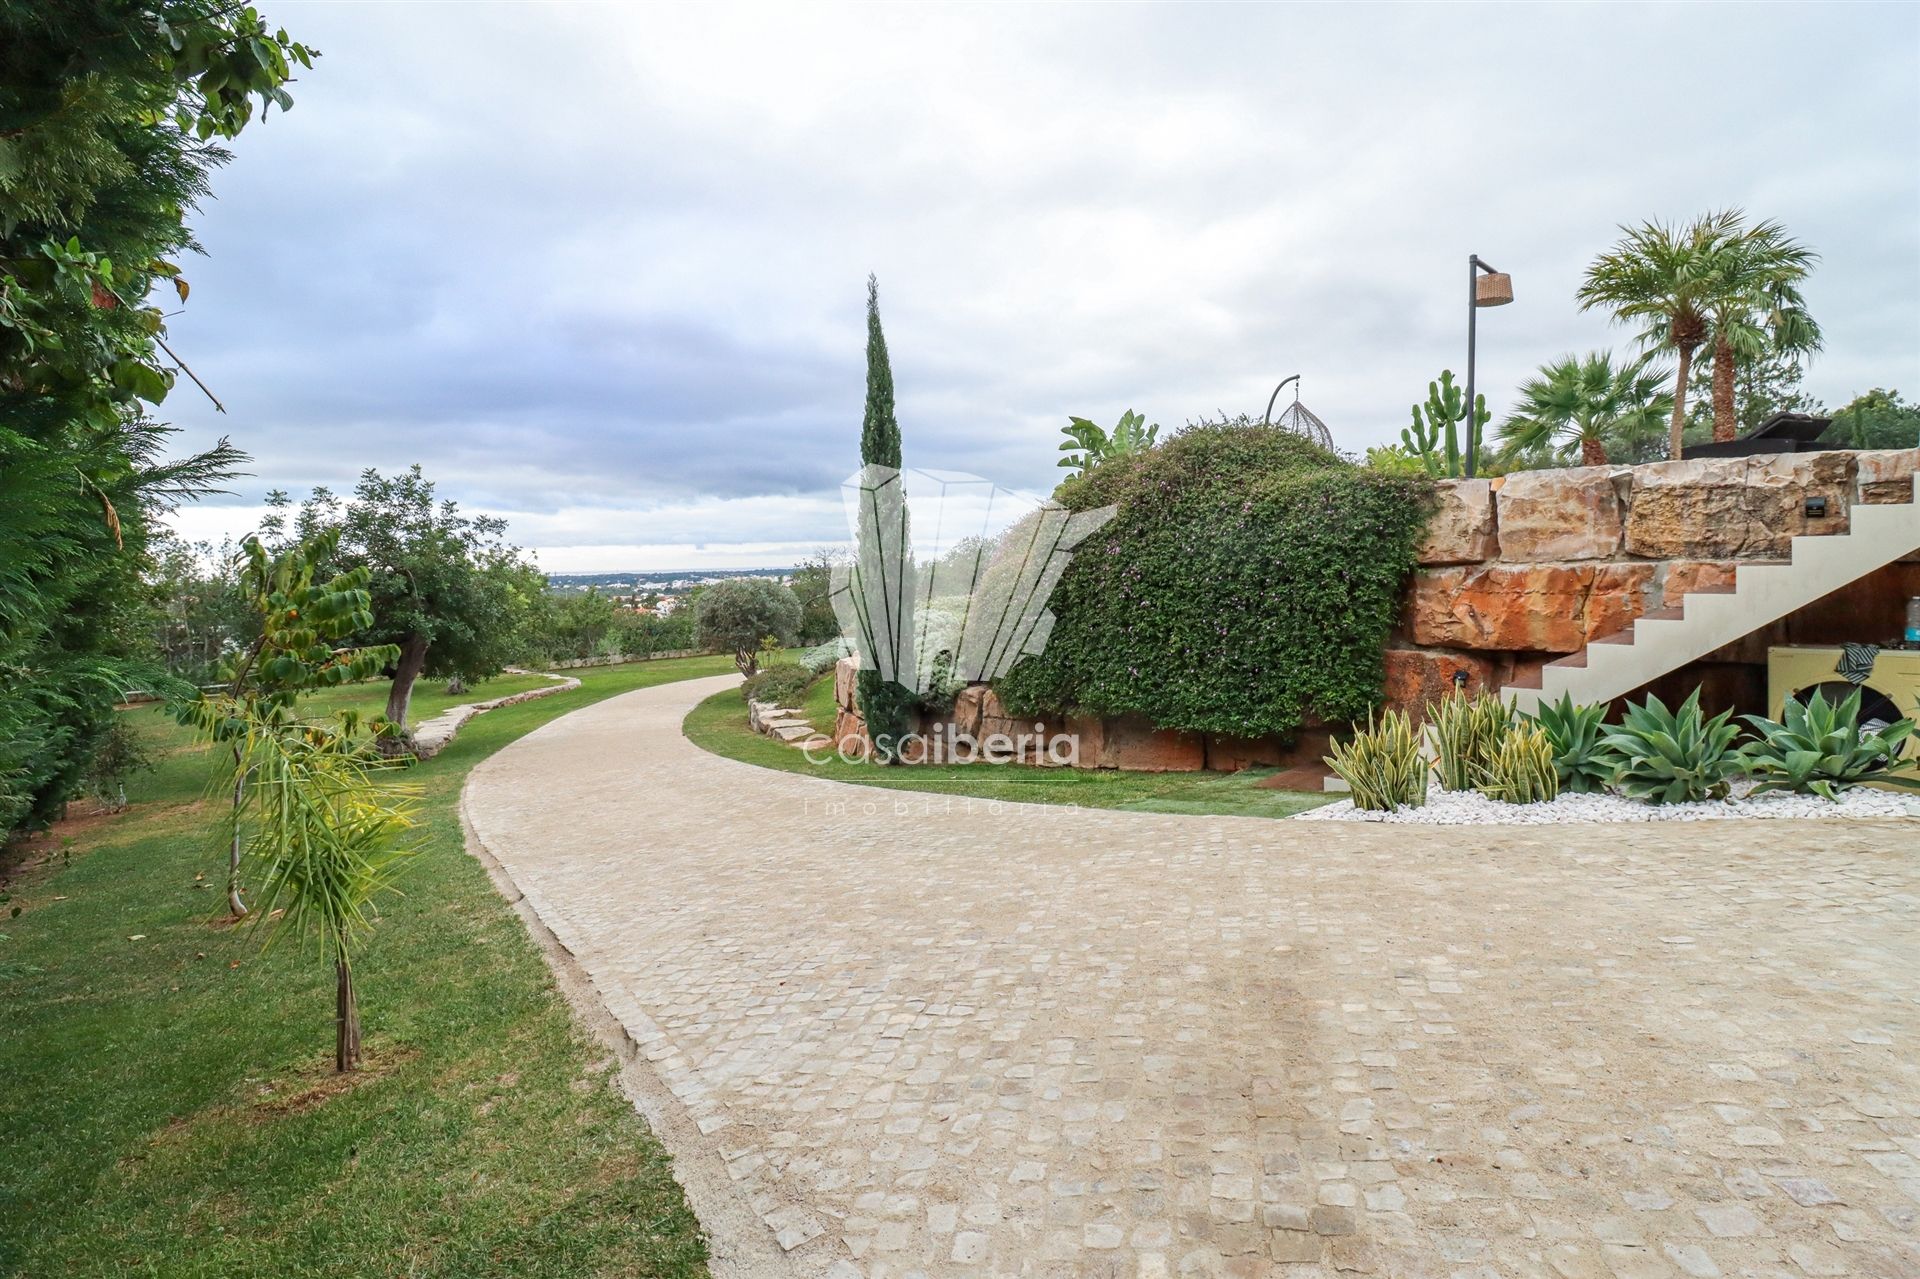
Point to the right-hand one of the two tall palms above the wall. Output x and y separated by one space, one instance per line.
1756 306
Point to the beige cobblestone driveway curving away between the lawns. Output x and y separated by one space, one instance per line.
953 1038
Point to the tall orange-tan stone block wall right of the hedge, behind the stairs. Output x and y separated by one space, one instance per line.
1535 566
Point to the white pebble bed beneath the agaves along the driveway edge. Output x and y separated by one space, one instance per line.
1476 809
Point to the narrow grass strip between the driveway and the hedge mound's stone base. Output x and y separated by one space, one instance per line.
721 727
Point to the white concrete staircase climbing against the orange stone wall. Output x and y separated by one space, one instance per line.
1710 619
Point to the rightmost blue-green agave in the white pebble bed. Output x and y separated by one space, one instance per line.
1823 750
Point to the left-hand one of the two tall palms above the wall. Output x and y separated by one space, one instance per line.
1664 281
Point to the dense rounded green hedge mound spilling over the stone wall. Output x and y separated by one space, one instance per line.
1247 585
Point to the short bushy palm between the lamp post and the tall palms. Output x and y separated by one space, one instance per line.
1587 402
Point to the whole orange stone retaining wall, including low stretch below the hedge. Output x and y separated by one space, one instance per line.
1535 566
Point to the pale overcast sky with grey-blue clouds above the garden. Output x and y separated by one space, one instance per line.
602 270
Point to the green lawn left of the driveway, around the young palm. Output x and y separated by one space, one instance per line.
168 1101
